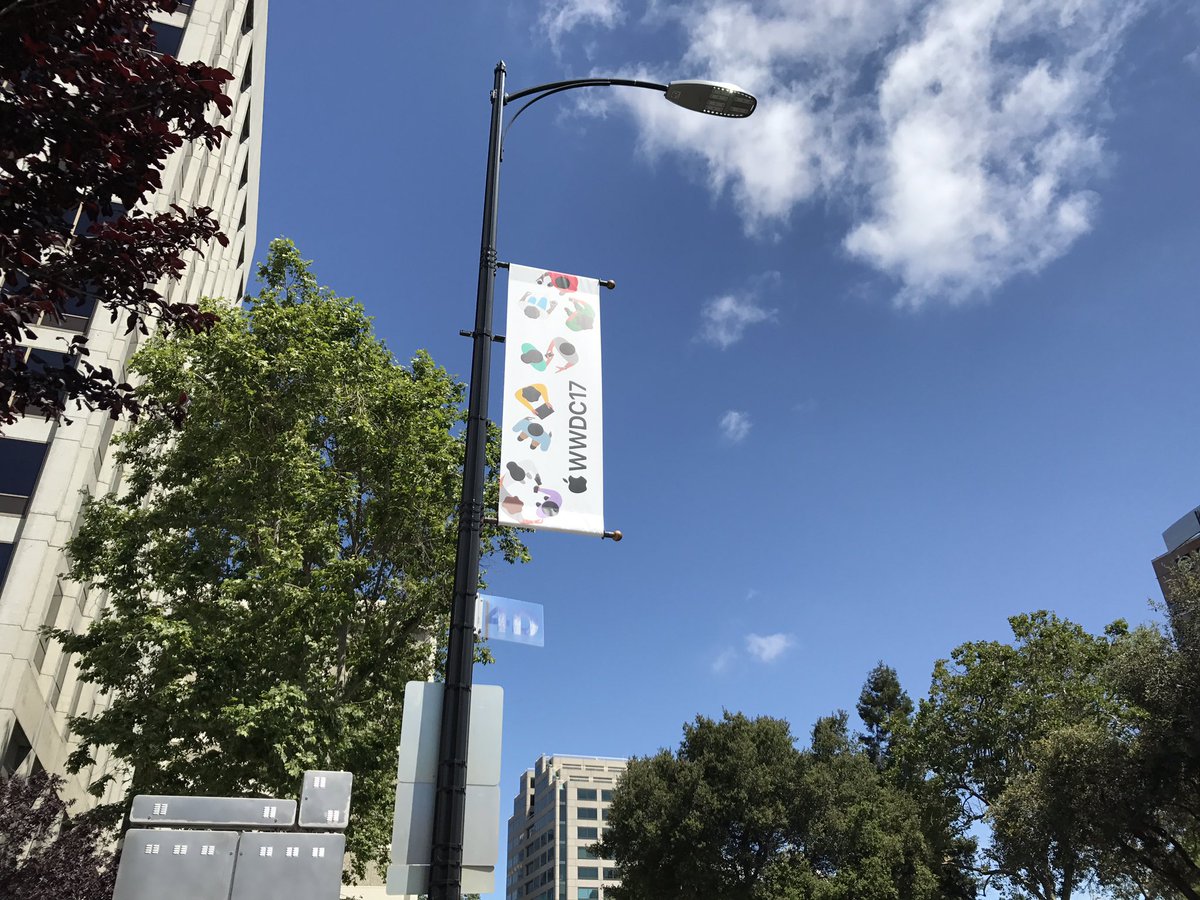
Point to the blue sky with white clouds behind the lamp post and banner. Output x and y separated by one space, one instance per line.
909 352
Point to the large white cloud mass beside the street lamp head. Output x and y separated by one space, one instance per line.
962 136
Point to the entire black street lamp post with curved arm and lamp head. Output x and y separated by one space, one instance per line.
449 811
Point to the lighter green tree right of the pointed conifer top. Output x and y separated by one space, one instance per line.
994 715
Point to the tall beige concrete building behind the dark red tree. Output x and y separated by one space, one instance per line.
45 470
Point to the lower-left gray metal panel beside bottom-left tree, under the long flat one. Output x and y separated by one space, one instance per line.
182 866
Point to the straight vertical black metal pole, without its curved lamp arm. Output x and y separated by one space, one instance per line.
451 802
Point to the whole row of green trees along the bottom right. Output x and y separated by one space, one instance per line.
1077 757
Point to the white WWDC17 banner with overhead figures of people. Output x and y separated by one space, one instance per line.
551 473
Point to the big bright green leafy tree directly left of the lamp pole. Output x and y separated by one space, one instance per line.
281 566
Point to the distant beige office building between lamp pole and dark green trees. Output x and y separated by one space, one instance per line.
559 814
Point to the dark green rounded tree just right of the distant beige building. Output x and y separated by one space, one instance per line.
740 813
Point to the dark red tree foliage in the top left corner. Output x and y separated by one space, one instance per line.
88 119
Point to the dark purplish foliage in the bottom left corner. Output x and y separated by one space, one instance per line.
45 855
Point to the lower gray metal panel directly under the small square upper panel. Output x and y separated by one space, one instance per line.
298 866
